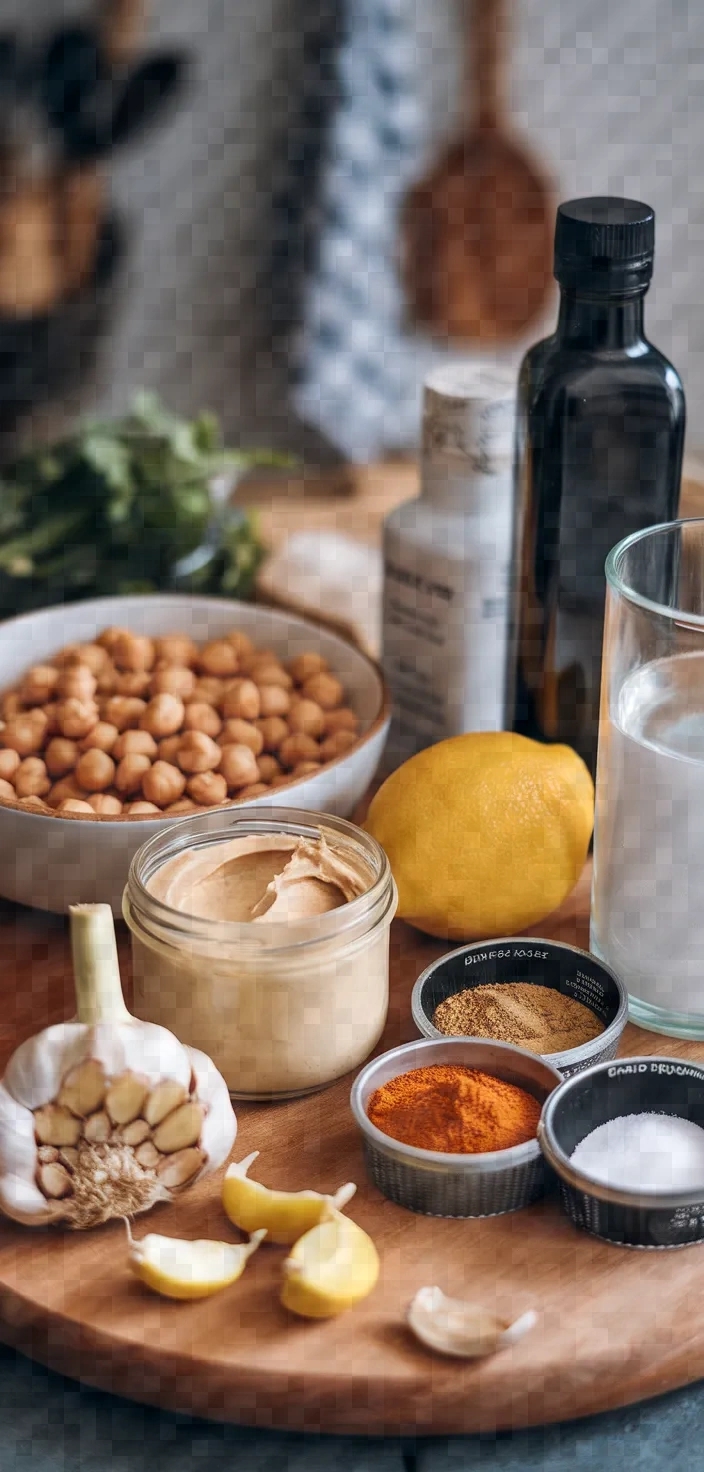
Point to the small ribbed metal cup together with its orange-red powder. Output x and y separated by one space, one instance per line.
426 1091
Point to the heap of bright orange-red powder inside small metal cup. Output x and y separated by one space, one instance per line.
454 1109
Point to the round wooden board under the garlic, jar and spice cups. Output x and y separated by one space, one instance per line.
615 1326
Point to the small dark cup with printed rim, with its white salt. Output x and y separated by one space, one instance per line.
627 1142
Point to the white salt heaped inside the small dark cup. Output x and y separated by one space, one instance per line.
644 1152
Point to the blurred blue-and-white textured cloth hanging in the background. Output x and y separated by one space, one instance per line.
357 381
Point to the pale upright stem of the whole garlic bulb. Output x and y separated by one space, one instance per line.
96 969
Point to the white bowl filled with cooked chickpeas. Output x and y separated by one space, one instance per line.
122 715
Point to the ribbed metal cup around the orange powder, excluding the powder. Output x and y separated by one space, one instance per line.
440 1184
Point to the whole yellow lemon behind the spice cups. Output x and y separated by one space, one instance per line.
485 834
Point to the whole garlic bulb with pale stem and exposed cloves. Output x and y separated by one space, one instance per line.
107 1115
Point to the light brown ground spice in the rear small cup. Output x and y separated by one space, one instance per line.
535 1018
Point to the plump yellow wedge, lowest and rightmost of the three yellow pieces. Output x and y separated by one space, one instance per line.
331 1270
